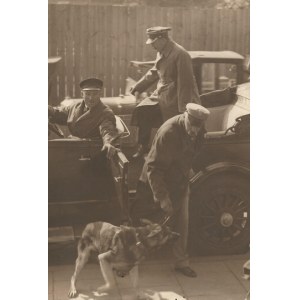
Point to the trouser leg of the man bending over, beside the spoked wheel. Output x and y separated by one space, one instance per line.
181 227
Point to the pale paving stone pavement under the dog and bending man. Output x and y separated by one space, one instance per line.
219 278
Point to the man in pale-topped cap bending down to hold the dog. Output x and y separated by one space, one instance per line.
165 176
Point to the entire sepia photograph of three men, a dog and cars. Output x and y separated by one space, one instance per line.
149 149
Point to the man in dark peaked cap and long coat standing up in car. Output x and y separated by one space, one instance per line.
176 86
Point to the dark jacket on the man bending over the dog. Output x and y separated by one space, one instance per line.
169 161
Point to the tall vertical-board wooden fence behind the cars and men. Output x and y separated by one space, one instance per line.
100 41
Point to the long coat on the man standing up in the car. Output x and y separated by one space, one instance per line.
176 83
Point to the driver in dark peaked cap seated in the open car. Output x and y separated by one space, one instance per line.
89 118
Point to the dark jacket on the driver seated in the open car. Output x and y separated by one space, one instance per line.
84 123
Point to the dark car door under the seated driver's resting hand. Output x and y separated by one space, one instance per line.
83 185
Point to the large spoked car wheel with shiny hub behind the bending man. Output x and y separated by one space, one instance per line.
220 215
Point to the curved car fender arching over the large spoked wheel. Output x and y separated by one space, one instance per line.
218 168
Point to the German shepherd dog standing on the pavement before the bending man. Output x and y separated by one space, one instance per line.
120 249
